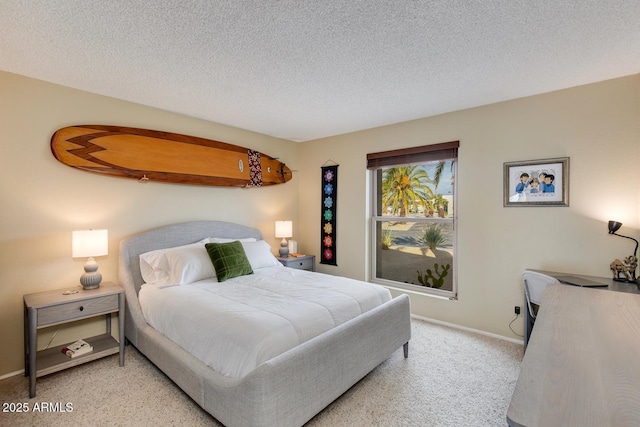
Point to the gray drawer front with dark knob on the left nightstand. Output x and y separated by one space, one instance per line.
77 309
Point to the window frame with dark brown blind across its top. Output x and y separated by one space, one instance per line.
403 157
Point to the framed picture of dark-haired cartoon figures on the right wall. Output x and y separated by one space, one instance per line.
537 182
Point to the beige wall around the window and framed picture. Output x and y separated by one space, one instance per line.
597 126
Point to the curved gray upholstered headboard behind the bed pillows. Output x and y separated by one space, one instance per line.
170 236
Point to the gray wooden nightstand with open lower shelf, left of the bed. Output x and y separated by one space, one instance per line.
44 309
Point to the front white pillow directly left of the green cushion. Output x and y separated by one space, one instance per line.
170 266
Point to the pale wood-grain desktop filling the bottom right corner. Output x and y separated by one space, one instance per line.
582 366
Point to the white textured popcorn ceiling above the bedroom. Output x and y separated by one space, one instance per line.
303 70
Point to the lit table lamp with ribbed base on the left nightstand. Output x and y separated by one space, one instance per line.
90 243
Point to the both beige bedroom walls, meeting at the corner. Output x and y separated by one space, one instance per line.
597 126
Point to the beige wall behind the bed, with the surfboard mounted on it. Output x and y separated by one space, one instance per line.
43 200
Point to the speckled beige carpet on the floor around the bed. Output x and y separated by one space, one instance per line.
451 378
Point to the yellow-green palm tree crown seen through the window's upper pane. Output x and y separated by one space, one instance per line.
405 186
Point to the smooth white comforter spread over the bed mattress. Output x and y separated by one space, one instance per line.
236 325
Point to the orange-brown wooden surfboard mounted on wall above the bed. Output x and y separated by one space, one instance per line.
149 155
